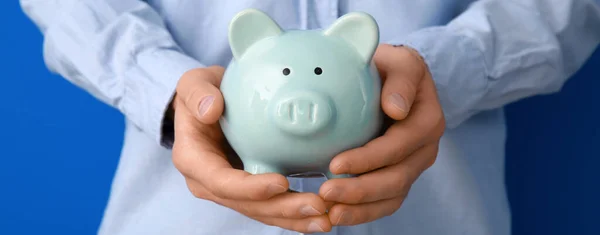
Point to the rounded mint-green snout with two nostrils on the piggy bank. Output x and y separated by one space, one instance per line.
303 112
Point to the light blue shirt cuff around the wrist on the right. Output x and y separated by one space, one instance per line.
457 67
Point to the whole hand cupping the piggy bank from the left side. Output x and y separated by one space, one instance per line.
200 153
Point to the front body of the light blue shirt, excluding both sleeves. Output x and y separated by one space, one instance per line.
463 193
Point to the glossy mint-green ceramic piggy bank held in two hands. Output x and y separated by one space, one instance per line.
295 99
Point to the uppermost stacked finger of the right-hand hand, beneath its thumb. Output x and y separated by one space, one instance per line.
423 125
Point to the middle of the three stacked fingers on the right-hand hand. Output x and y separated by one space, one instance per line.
382 184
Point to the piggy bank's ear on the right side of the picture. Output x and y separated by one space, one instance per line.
360 30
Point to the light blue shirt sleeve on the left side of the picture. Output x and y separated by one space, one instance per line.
117 50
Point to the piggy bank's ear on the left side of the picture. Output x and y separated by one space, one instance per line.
248 27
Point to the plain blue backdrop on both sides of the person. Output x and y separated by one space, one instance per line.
60 147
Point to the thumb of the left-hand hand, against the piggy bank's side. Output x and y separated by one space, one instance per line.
199 91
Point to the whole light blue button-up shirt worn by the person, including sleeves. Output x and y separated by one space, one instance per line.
482 55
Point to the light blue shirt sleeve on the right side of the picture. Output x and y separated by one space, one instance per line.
499 51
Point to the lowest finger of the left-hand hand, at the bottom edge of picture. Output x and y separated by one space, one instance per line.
315 224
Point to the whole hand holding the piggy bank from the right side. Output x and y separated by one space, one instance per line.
388 165
